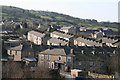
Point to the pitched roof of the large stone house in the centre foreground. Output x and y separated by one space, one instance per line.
60 52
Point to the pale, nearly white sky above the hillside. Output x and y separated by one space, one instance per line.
101 10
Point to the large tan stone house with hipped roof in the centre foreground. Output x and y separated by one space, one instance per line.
54 58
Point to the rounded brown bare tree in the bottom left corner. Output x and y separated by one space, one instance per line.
12 70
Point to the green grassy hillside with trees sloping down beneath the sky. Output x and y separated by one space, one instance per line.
46 17
